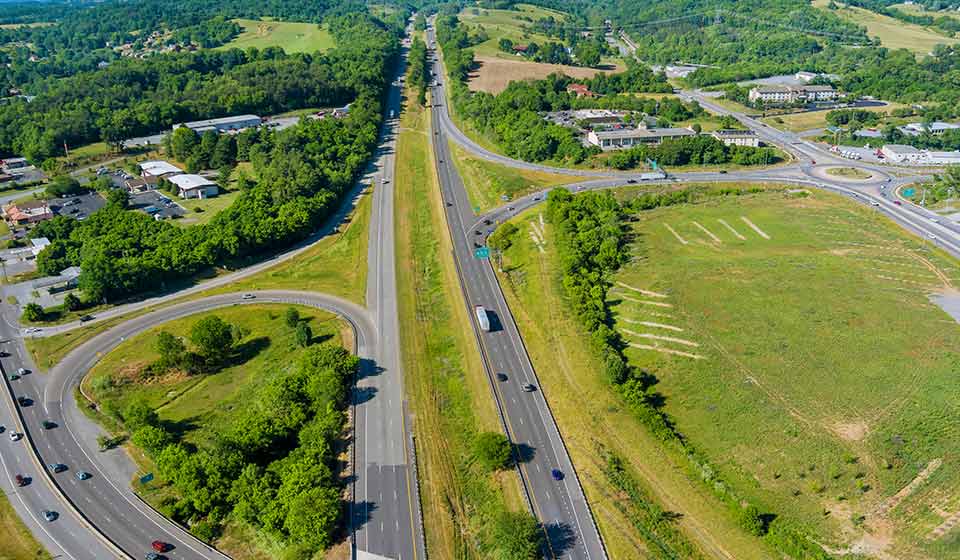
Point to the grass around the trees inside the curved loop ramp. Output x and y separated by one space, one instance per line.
198 406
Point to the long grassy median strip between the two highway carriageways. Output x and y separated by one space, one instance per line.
445 383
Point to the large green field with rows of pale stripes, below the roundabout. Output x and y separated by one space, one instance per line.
794 343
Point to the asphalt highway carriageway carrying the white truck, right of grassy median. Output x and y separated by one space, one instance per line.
560 505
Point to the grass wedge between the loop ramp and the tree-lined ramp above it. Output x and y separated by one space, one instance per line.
337 264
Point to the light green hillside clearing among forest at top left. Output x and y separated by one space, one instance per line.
292 37
